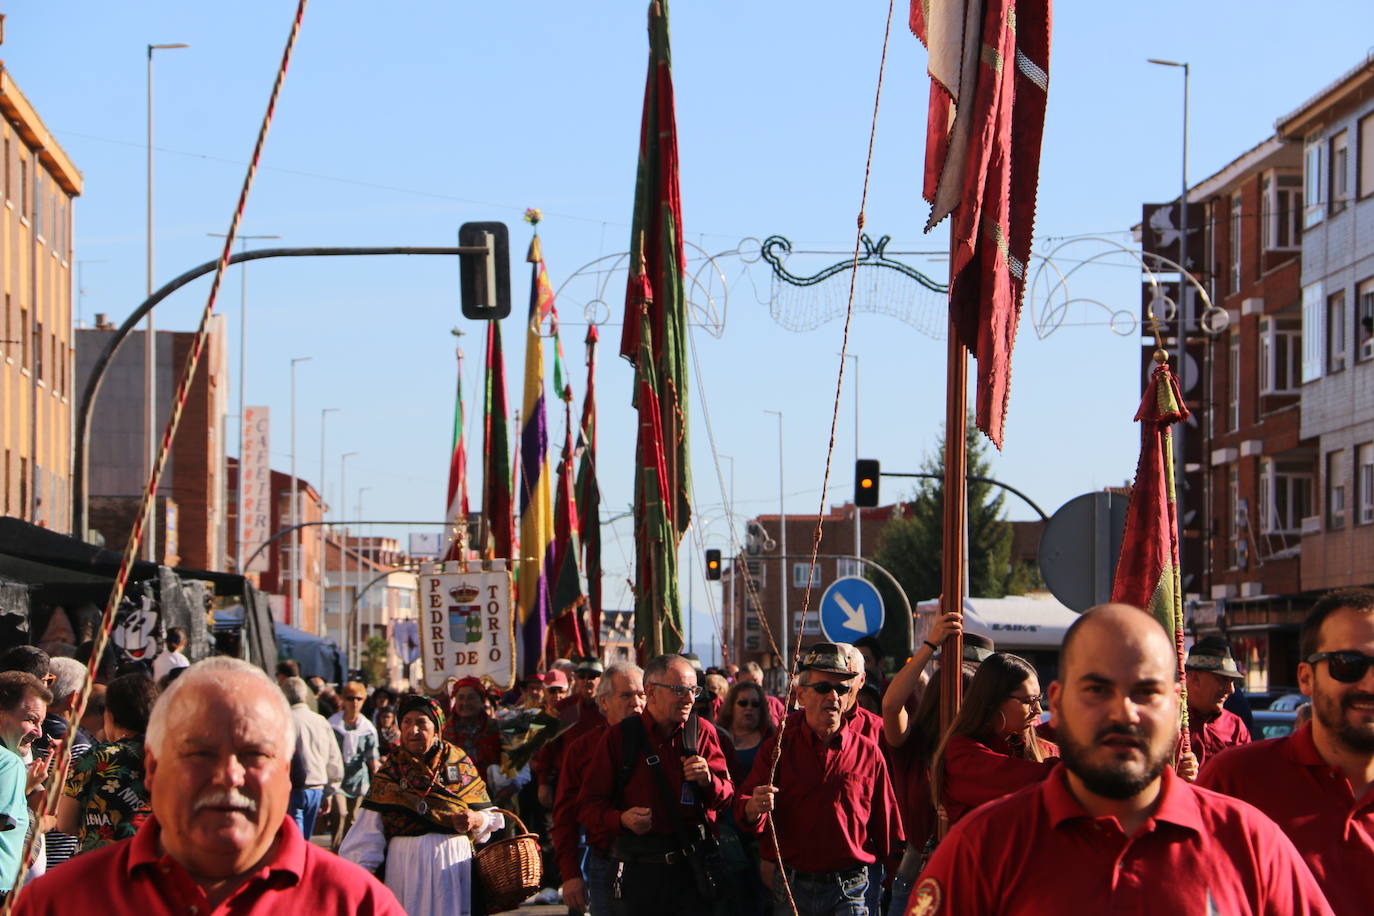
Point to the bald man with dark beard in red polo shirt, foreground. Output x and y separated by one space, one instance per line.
1114 830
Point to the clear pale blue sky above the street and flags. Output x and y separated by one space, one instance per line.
401 122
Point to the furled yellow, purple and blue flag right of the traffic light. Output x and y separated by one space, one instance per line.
537 501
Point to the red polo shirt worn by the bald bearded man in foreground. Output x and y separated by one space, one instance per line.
1039 854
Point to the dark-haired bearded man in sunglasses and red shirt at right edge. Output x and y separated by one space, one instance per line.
1317 782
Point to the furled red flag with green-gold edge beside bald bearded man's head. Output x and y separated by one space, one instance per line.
1148 572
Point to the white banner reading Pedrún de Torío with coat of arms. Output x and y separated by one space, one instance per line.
466 624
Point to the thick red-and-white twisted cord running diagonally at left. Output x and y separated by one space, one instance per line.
102 637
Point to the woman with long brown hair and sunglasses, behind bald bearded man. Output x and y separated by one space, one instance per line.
991 749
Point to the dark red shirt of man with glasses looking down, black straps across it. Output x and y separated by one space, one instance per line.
600 814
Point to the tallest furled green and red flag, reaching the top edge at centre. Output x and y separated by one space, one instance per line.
655 340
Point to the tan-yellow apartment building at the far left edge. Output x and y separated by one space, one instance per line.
36 256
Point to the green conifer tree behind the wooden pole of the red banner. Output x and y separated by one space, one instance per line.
912 543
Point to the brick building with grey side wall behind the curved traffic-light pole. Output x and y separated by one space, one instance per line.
192 513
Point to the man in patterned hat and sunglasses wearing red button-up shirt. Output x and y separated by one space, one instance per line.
832 801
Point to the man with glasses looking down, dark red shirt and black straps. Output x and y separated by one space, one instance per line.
656 796
